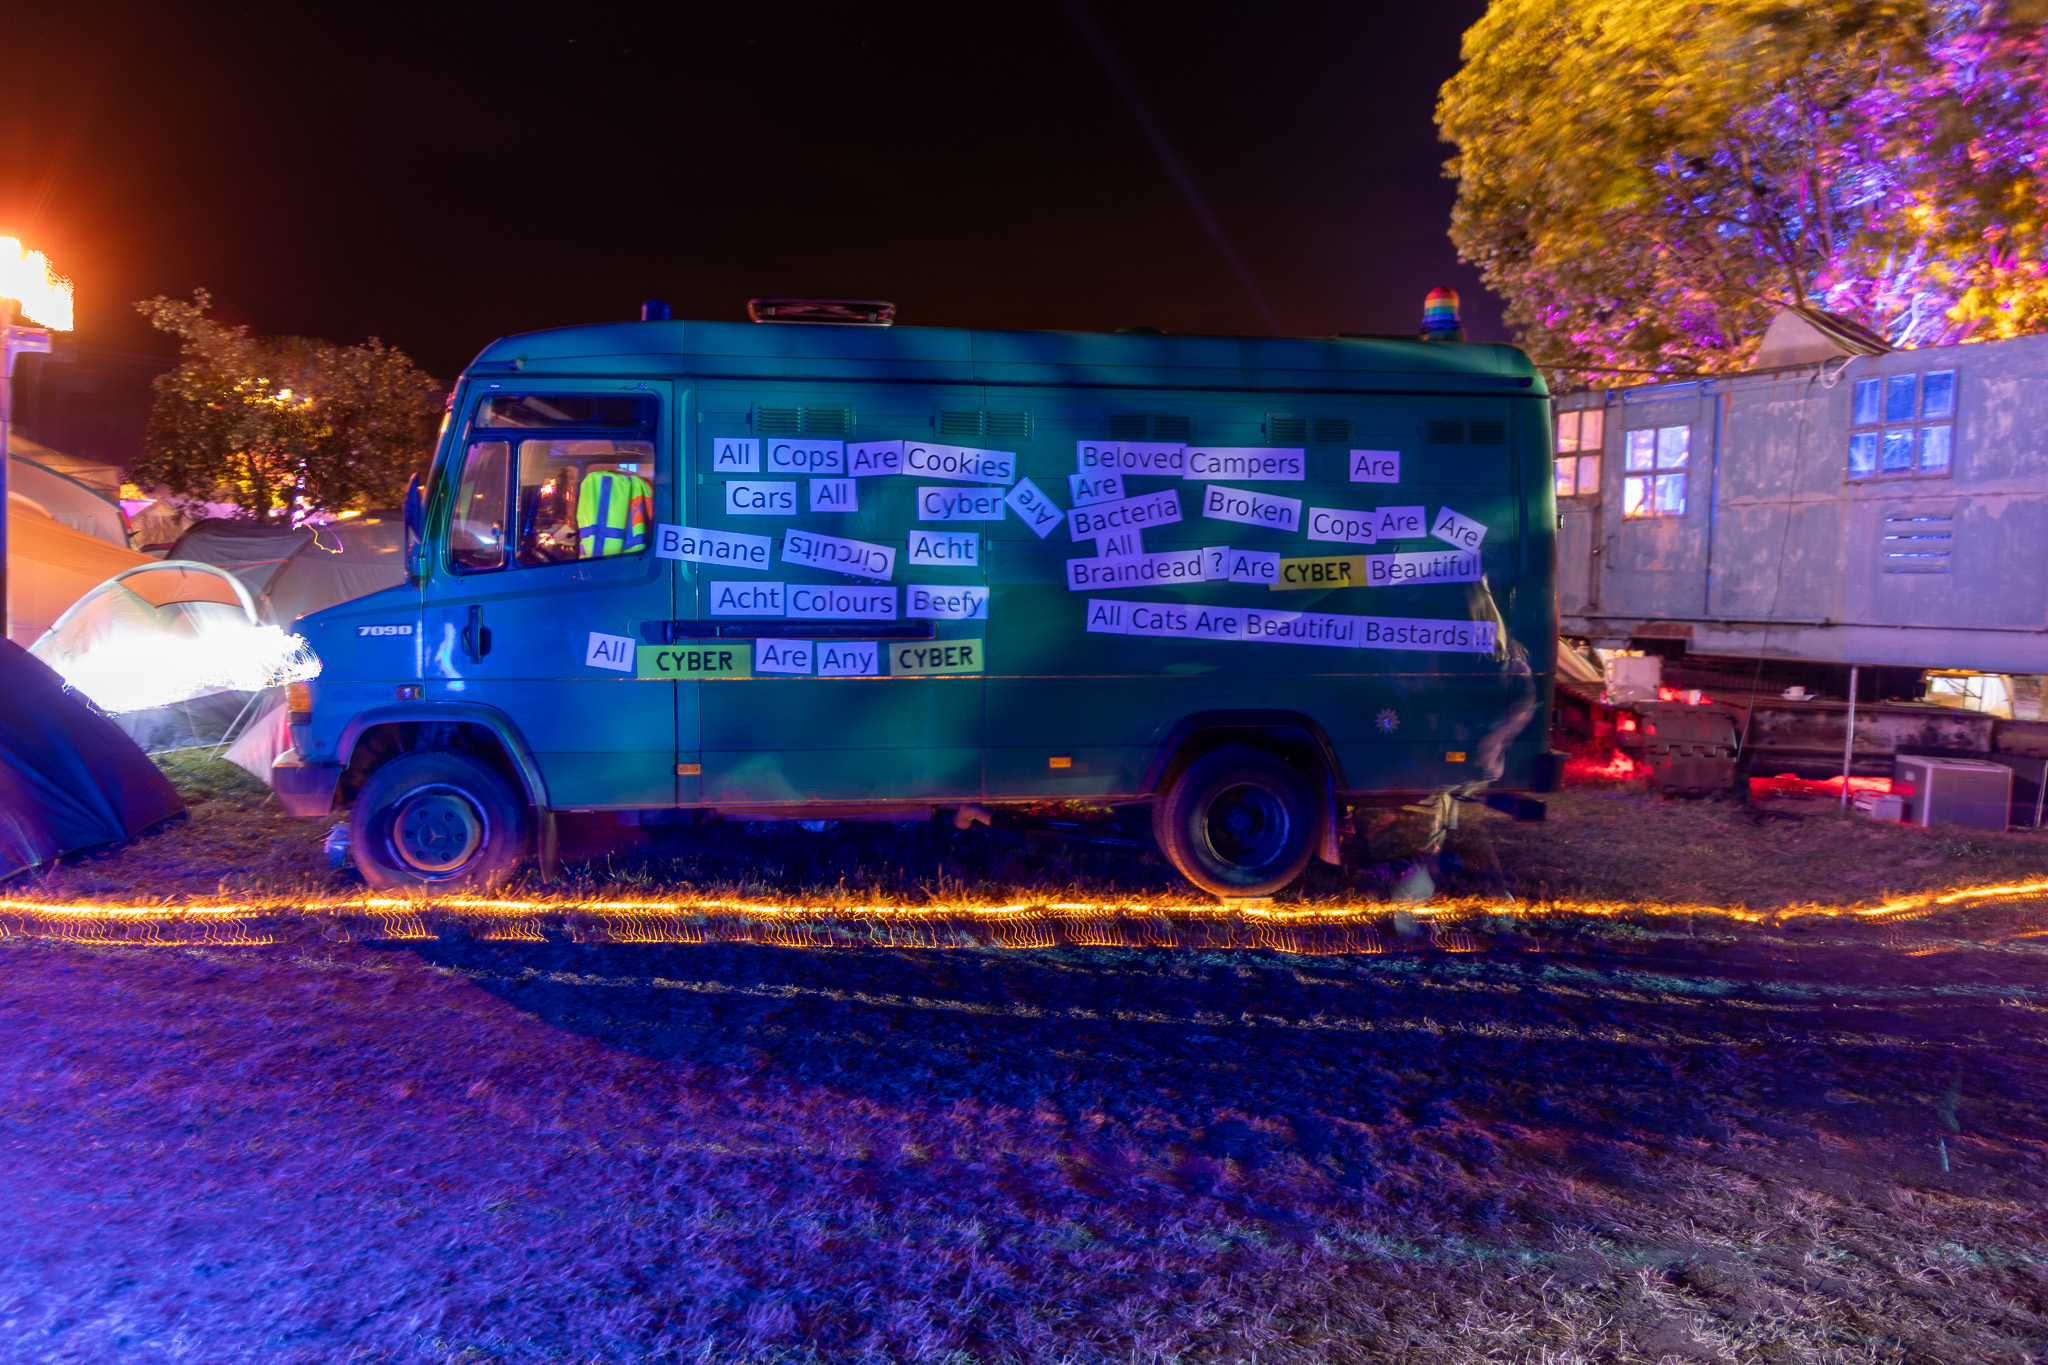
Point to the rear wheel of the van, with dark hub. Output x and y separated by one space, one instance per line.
1238 824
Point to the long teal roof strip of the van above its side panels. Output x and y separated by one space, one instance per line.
1064 359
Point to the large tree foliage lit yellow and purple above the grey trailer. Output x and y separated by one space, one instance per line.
1650 181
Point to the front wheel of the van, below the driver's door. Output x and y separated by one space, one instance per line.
437 818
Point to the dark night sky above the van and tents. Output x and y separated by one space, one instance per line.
445 175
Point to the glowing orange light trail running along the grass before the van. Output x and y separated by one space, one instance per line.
1316 930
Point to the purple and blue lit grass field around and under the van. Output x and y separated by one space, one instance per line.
1635 1141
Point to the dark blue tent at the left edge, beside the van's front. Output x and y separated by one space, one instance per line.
71 781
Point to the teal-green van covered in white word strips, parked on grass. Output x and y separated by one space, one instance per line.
810 572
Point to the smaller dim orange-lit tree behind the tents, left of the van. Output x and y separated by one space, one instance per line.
284 425
